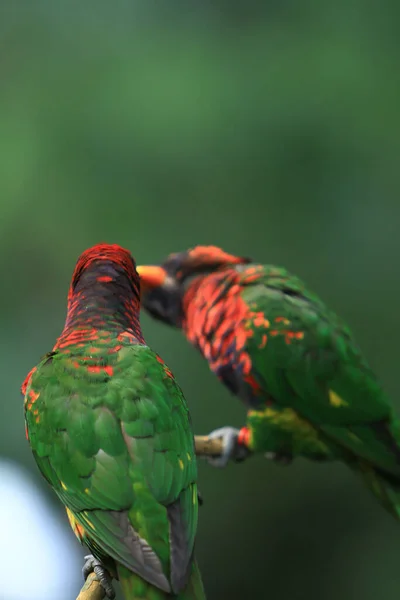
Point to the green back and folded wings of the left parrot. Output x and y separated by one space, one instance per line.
119 452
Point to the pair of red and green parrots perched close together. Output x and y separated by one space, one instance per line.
109 426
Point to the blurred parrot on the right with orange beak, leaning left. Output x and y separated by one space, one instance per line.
308 390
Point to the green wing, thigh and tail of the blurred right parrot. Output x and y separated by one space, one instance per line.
322 397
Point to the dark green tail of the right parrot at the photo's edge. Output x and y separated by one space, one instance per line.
384 486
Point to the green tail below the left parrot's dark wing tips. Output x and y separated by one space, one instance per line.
135 588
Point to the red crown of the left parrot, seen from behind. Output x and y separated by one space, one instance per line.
108 266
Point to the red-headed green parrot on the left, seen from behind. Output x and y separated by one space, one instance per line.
110 431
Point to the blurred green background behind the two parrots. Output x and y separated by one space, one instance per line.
268 128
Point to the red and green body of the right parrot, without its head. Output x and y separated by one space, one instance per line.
276 345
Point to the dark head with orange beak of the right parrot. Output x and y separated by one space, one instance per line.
163 287
